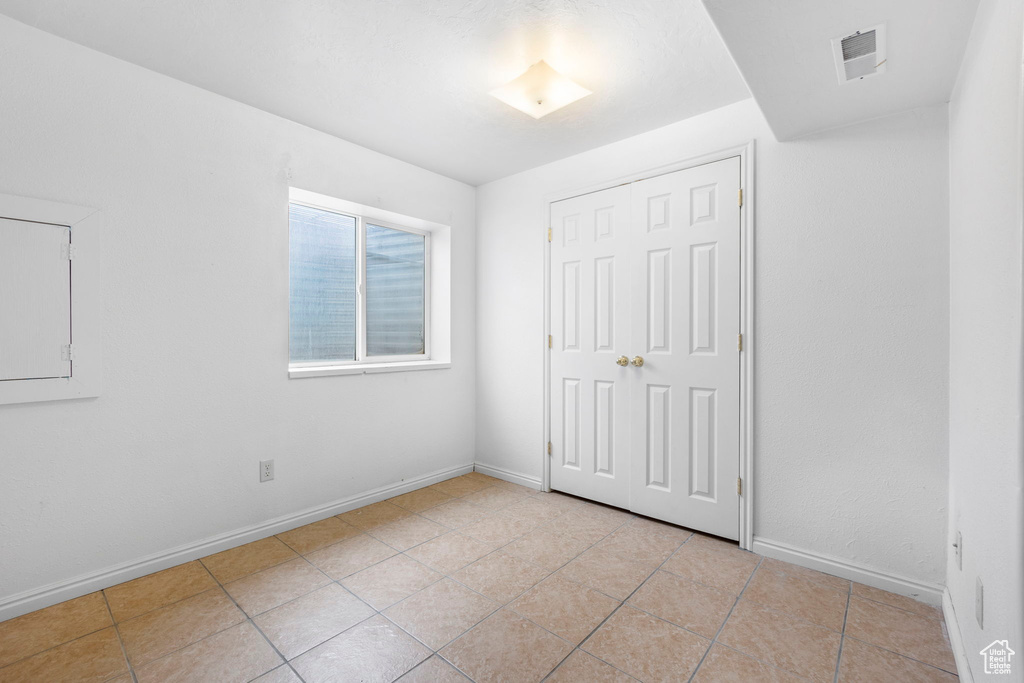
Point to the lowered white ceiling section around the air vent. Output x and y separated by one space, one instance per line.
784 51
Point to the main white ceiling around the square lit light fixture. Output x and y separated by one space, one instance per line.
411 78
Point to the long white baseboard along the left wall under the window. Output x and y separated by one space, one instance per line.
27 602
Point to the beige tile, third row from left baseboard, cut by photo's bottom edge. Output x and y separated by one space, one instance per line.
235 656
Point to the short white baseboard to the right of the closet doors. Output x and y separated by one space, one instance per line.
930 593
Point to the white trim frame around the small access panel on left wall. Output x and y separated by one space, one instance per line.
87 303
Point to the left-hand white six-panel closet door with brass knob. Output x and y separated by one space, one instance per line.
590 326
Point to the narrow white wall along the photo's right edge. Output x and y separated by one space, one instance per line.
986 404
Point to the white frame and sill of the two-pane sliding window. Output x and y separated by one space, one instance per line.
437 348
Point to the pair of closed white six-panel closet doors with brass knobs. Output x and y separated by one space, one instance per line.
645 358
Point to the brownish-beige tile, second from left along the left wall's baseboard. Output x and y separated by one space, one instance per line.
156 590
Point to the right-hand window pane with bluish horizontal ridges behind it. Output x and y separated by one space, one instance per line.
395 292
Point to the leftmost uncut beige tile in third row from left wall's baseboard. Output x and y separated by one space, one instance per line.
298 626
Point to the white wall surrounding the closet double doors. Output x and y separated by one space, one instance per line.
851 334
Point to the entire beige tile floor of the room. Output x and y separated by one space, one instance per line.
483 580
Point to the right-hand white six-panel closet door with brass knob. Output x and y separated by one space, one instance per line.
686 321
